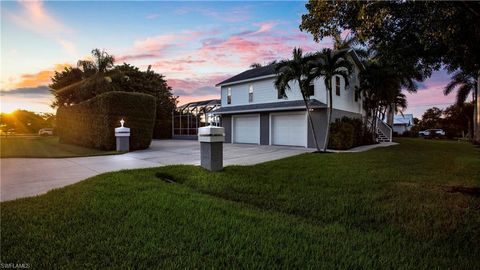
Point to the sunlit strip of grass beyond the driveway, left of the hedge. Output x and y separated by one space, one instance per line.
44 147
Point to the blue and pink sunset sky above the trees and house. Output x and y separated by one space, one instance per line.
194 44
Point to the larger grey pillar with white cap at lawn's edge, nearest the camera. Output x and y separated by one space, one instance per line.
211 140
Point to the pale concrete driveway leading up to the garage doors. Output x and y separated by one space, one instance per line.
24 177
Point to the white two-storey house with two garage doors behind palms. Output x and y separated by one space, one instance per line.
253 112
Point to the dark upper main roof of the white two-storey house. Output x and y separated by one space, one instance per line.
269 71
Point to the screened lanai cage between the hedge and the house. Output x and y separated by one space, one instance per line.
186 119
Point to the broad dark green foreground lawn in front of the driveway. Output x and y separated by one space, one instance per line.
381 209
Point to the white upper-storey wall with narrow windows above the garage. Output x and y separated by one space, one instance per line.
264 91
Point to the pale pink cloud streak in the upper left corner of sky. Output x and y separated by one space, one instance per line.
36 18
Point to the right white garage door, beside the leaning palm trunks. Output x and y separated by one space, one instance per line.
289 129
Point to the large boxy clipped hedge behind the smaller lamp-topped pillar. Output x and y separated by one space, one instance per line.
92 123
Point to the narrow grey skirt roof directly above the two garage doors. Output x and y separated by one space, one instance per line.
273 106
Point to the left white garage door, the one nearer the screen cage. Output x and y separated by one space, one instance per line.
246 129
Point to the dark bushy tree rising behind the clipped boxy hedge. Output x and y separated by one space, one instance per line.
99 75
